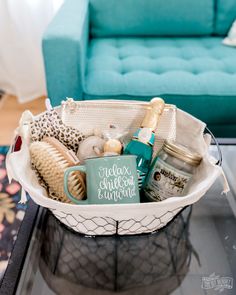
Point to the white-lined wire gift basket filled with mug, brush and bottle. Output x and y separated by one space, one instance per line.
52 141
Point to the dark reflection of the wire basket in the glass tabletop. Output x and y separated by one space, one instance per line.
149 262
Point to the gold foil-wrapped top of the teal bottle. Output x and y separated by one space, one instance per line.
153 115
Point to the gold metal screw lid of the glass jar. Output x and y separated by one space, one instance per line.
182 152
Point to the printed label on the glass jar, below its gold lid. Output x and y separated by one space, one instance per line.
165 181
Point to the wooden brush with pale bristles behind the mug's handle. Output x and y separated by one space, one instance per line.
50 159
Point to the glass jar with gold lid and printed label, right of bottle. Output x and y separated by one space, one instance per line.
171 172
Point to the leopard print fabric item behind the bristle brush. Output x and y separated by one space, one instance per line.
50 124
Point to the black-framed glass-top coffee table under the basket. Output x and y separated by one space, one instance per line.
194 254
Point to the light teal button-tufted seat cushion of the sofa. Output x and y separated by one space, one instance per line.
157 66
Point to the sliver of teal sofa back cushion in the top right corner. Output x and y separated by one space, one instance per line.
225 15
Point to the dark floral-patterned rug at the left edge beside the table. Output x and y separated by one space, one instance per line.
11 213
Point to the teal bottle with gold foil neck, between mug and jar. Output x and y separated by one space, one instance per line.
143 139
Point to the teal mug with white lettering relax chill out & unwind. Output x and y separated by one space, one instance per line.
109 180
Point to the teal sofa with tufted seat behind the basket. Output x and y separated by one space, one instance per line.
138 49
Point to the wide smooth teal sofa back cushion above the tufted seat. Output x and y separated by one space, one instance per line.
152 17
